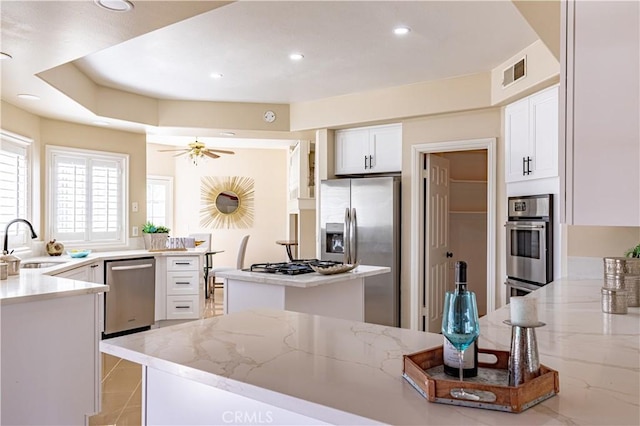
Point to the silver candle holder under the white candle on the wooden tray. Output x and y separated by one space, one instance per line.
524 363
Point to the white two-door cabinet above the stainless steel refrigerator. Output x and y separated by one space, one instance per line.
376 149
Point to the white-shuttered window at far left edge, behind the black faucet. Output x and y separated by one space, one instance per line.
14 187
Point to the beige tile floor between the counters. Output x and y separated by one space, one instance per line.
122 382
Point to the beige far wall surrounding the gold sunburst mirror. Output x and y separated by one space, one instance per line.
269 170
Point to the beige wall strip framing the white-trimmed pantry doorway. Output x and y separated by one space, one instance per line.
484 123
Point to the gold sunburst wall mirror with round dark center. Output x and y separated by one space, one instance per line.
226 202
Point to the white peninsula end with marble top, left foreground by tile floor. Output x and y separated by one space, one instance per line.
50 366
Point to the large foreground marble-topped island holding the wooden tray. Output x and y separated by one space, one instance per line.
278 367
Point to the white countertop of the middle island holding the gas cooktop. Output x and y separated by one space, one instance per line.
303 280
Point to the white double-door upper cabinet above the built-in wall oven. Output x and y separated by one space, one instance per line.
531 133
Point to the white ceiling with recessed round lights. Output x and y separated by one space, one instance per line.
168 49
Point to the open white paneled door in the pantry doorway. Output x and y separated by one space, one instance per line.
436 240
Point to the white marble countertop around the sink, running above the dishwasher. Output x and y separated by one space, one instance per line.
33 284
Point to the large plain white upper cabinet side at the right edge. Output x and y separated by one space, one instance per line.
602 59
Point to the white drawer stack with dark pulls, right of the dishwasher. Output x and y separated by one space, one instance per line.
183 287
